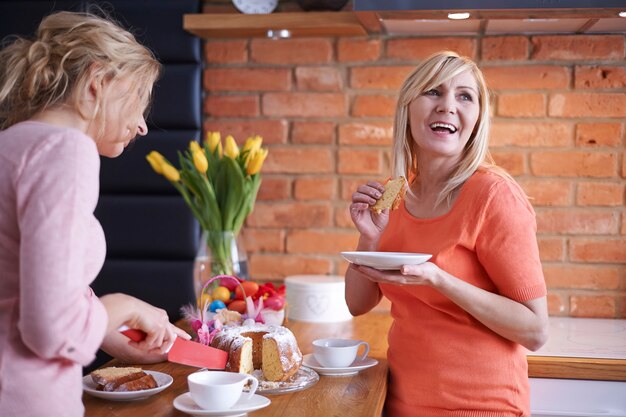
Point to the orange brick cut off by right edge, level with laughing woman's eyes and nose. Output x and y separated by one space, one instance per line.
587 105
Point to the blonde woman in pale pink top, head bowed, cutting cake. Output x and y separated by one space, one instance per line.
76 91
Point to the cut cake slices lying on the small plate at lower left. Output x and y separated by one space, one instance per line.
122 379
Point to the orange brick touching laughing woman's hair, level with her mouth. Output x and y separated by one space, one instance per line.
531 134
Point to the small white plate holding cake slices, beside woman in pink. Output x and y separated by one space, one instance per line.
125 384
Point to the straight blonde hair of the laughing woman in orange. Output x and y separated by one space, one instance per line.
432 72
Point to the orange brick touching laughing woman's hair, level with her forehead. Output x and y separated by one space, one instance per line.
527 77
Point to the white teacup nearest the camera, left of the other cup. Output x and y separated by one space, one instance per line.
219 390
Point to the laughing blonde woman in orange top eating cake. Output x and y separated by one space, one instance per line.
463 320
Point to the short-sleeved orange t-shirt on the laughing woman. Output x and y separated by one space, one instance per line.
443 362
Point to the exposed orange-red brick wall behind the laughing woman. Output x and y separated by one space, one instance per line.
324 107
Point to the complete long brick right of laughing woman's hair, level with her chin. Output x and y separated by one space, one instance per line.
573 164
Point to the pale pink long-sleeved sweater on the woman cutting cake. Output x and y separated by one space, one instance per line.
51 249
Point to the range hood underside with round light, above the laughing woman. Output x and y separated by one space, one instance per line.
492 17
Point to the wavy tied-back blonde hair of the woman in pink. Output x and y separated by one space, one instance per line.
68 50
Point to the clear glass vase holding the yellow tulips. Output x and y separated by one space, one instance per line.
219 253
